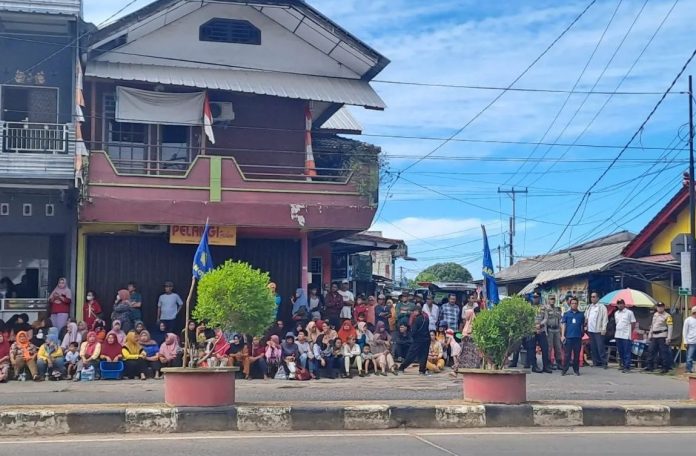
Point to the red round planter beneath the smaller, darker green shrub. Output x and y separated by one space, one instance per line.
495 386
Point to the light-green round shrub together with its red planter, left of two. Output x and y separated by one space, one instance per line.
233 297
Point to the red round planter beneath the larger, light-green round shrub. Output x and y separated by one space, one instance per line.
199 387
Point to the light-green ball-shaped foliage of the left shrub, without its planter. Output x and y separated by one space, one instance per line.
235 296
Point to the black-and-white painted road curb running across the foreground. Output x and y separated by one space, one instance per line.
334 417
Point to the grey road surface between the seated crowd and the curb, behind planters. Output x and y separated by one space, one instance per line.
594 384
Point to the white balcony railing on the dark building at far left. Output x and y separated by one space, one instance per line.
26 137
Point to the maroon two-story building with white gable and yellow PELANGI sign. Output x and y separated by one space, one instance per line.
226 111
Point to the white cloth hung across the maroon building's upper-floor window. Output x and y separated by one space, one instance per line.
144 106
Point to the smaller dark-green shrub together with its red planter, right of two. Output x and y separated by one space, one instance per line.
496 333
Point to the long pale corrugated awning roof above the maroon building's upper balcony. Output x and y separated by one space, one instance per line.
304 87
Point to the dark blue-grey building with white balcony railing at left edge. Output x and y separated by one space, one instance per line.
38 203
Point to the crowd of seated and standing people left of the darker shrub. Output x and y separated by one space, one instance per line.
331 334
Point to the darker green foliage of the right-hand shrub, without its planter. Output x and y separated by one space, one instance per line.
498 331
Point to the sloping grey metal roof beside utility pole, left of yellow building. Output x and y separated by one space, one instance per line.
566 260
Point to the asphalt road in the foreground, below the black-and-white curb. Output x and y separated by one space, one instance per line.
523 442
